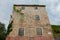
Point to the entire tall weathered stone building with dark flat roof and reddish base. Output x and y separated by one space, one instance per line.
30 22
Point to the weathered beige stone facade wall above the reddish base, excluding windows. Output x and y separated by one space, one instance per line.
30 22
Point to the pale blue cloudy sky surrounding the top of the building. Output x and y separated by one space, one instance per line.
52 8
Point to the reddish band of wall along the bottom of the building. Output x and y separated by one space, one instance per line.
29 38
